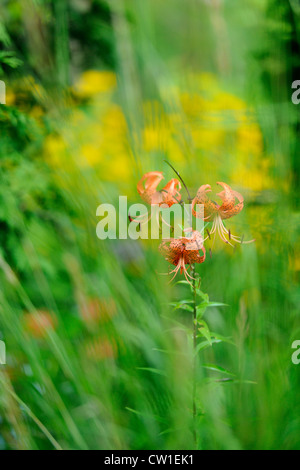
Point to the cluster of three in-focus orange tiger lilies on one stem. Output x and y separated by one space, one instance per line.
184 252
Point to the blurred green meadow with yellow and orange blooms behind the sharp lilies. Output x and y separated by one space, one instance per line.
98 93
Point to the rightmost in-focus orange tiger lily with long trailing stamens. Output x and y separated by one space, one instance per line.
216 213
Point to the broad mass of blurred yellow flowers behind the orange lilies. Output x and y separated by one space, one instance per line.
205 121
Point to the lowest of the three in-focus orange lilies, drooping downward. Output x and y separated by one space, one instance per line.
183 251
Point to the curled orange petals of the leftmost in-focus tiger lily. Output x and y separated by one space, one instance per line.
147 188
